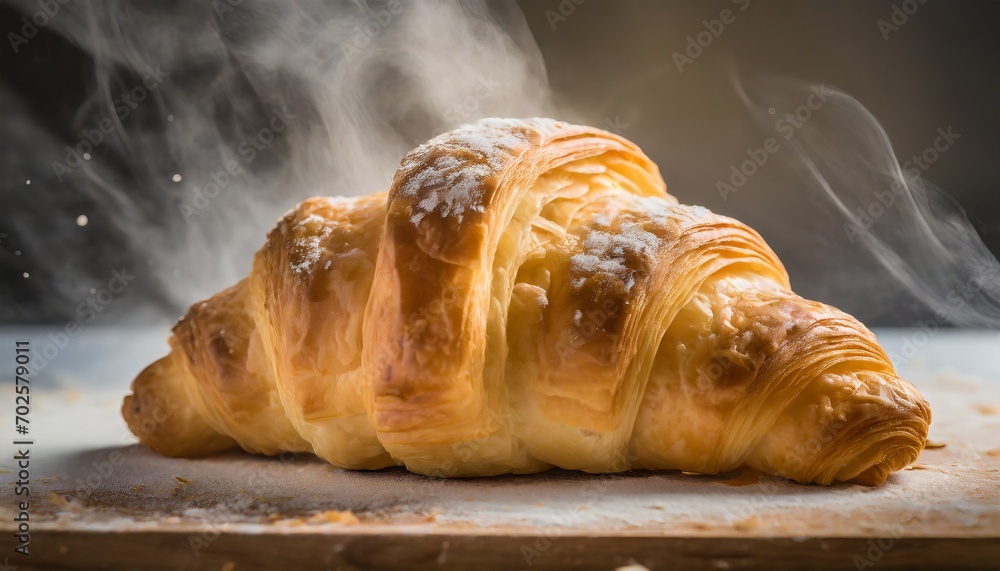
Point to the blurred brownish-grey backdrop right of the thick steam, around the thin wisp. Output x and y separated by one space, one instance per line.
940 68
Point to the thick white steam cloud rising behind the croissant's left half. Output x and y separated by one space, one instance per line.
225 113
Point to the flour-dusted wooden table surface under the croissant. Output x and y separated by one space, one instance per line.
100 501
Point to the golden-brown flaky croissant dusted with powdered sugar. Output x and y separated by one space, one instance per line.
526 296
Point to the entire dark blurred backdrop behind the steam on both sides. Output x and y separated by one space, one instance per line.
612 63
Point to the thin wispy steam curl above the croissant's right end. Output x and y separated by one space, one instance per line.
919 234
